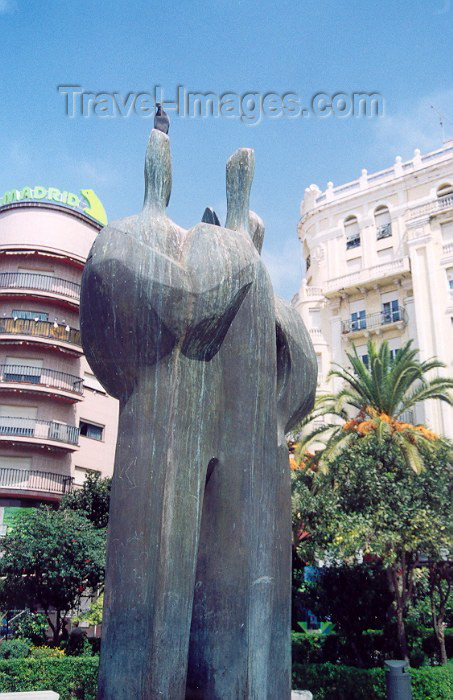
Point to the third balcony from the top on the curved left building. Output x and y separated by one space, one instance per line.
41 380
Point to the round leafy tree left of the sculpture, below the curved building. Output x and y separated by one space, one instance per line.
49 560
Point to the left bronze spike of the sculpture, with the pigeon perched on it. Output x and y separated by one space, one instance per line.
157 172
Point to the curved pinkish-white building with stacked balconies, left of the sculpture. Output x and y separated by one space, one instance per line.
56 421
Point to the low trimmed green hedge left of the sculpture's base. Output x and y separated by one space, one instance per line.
72 677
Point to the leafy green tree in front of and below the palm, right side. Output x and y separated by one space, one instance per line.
371 502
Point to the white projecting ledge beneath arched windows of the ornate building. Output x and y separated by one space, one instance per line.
367 277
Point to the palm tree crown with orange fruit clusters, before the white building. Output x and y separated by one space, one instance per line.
379 394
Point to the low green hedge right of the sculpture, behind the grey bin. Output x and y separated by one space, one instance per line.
331 682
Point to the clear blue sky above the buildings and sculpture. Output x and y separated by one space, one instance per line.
402 50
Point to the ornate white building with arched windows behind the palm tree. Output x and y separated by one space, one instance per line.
379 263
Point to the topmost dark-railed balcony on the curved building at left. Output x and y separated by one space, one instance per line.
47 286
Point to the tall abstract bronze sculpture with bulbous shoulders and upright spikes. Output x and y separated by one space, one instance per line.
211 371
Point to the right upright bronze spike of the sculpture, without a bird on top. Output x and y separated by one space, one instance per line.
239 177
